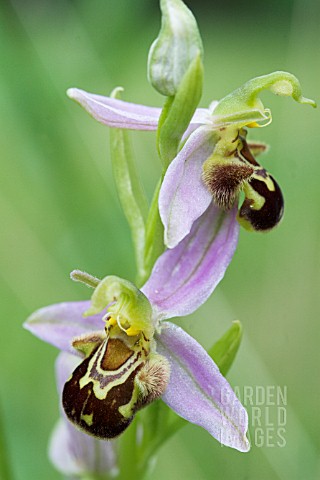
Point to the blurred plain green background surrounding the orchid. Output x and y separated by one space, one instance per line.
59 211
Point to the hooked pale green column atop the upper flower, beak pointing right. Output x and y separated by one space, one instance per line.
243 106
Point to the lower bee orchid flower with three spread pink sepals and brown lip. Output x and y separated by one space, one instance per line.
131 356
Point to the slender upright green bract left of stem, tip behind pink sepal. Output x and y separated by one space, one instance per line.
131 195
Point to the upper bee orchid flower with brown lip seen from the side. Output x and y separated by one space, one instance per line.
214 161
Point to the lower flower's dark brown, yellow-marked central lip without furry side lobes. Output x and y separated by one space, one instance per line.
94 393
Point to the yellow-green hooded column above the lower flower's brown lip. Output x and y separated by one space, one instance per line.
124 301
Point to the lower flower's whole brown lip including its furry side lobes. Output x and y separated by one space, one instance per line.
119 377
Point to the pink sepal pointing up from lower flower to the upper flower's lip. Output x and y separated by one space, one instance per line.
183 278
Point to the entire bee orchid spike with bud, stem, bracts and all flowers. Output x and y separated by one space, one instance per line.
119 351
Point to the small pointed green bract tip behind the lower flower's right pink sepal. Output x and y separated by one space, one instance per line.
225 349
